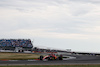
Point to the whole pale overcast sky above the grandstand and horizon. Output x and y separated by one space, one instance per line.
61 24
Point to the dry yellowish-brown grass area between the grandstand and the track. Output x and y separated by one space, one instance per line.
17 56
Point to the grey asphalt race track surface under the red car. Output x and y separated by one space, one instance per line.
80 59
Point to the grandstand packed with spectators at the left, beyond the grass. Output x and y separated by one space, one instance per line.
12 44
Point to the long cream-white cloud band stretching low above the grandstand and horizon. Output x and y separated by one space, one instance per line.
43 33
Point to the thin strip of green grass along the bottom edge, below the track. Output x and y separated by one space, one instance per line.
55 66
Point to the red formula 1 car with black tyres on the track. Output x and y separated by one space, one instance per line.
51 57
